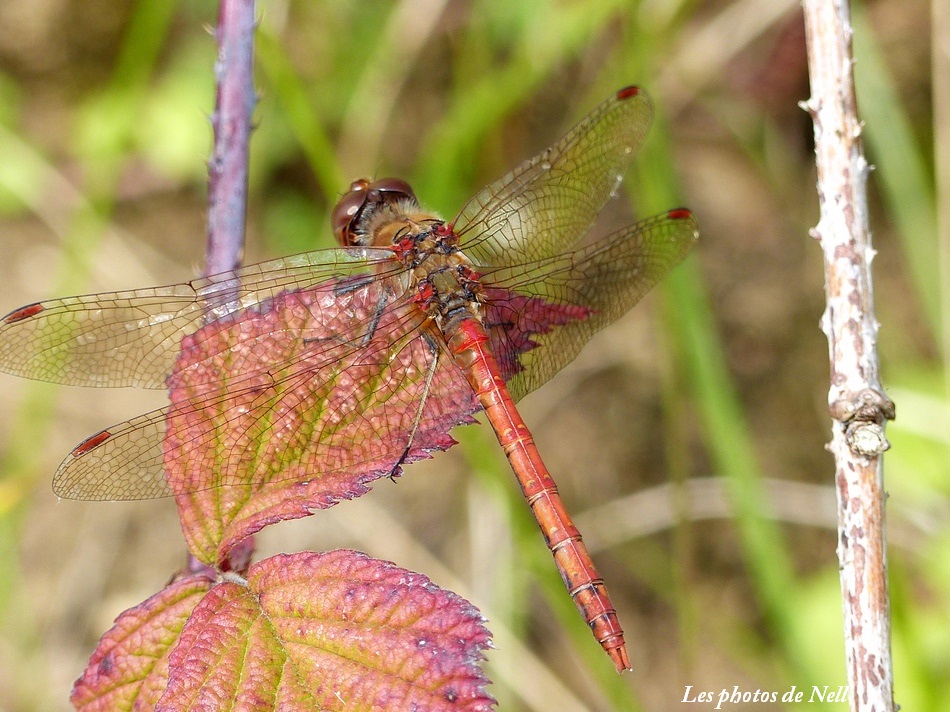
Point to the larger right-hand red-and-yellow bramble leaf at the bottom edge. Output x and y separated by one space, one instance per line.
331 631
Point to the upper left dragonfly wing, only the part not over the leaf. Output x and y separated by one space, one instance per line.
131 338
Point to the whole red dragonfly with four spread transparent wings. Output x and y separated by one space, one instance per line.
364 355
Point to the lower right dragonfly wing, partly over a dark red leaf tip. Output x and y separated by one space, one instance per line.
541 315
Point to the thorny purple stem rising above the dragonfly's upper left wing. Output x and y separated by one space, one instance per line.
234 103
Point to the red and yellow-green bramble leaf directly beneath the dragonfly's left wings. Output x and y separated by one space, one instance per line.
296 405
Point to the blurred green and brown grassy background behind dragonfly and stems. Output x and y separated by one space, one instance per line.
687 438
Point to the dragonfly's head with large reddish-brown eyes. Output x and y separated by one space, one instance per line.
368 203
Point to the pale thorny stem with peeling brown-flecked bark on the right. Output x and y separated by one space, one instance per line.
856 399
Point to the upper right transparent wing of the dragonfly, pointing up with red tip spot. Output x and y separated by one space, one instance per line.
548 203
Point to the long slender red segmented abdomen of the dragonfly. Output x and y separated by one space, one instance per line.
470 346
